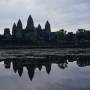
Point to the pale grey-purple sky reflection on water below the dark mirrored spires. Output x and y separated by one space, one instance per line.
71 78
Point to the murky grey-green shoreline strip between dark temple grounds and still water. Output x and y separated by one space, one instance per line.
43 53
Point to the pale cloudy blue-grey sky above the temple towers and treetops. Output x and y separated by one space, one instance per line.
62 14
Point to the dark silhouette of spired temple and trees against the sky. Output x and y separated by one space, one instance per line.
33 36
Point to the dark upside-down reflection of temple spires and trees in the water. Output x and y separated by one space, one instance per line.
31 64
